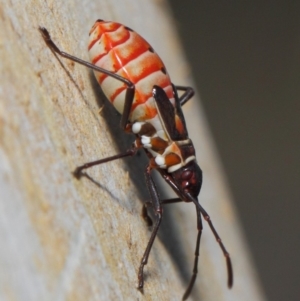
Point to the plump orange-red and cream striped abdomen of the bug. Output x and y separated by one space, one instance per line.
117 48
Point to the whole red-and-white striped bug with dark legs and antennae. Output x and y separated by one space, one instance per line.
136 82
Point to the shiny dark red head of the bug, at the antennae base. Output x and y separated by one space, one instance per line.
189 178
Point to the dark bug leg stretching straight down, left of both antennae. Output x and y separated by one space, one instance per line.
158 212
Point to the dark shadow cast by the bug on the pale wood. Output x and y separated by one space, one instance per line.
168 232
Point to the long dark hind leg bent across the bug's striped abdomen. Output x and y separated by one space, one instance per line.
130 86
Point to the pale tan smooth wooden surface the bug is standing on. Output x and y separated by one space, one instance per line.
64 239
